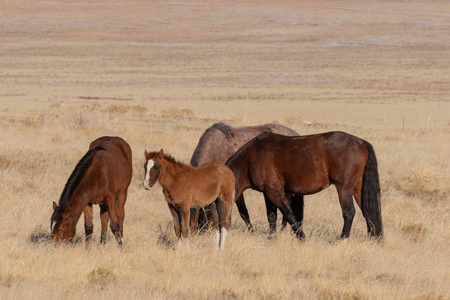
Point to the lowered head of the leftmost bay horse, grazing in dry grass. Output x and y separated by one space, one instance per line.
61 228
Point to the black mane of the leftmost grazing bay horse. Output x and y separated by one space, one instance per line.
74 180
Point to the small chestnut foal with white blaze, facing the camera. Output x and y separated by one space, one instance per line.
185 186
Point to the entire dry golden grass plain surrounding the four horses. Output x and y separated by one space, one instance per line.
158 74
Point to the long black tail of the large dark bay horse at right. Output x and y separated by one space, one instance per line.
371 195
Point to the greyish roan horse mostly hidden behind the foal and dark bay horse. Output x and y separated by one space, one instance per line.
217 144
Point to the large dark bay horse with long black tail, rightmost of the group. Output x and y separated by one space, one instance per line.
275 164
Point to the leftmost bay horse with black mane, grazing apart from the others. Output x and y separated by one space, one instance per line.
102 176
